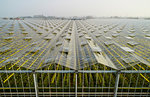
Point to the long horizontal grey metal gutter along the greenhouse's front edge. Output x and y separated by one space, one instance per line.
73 71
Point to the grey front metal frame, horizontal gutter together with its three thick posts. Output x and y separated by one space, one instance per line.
76 72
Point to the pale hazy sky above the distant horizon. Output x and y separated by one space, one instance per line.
75 7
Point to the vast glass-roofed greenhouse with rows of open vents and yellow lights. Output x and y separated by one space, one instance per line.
74 58
